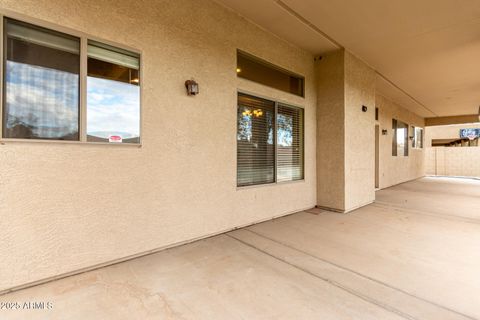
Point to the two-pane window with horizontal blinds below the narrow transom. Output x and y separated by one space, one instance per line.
270 145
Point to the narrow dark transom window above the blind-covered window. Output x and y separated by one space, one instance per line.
255 69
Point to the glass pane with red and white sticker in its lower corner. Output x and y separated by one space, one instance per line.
113 95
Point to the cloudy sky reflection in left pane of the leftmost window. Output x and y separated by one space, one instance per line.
41 103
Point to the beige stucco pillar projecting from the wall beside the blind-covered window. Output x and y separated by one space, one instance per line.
345 134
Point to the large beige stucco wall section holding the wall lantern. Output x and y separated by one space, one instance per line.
65 207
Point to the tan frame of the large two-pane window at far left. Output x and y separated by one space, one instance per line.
82 103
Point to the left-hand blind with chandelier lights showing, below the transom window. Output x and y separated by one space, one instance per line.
255 141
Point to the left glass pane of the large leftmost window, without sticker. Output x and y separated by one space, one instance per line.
41 83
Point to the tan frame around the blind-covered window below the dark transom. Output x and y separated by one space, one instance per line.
276 102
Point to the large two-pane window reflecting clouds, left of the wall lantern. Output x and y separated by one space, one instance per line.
43 85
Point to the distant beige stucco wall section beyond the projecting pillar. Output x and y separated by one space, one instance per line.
395 170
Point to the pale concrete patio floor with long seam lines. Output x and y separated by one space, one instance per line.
414 254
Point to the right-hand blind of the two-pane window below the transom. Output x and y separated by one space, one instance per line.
289 143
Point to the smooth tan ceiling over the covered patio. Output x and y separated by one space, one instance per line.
426 53
